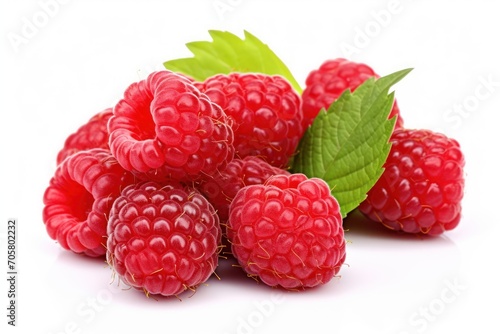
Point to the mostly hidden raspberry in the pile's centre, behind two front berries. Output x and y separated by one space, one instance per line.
221 189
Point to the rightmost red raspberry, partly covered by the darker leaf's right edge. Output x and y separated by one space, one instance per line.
422 186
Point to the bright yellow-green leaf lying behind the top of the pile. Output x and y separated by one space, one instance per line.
228 53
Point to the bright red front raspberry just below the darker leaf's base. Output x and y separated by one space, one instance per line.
288 232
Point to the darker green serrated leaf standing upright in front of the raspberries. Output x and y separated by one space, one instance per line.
348 144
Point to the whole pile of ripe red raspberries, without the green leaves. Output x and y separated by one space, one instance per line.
179 174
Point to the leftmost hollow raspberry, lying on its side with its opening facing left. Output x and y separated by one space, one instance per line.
79 197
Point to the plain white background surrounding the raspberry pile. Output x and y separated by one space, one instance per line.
81 55
